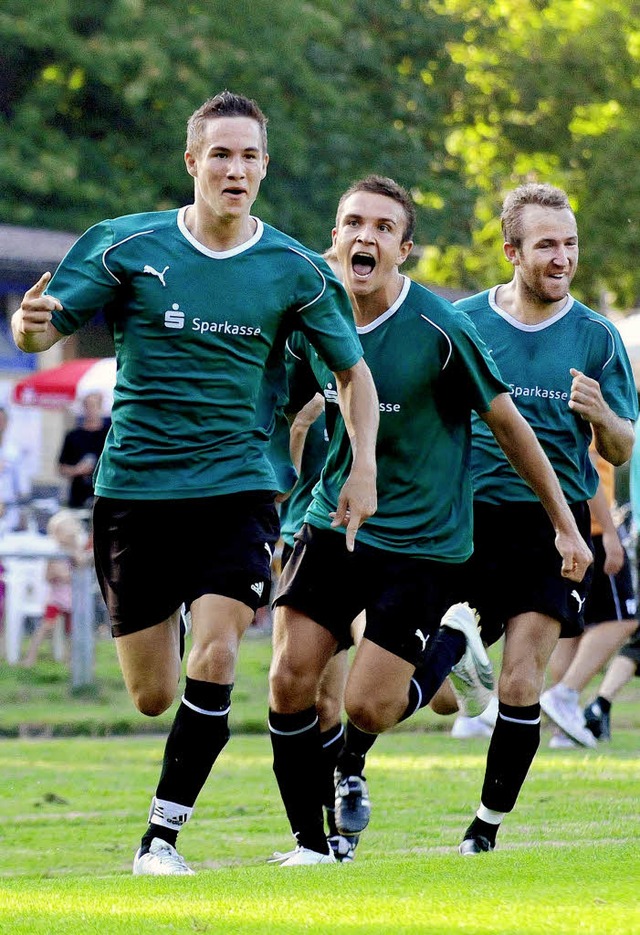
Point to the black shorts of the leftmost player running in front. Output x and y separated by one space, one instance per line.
153 555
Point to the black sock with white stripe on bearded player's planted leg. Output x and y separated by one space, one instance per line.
513 745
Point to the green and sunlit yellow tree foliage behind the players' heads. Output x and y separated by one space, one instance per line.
457 99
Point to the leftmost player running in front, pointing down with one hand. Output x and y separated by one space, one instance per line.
201 301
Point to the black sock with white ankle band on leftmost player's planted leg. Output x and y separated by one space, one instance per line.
199 732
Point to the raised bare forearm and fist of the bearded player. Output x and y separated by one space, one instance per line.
613 436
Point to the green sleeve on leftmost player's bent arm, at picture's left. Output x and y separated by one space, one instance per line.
83 282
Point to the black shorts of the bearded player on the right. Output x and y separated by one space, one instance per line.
515 568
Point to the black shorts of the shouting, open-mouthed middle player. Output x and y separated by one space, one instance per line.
404 598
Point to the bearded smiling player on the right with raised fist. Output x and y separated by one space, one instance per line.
570 377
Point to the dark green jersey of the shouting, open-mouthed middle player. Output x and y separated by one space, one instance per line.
431 370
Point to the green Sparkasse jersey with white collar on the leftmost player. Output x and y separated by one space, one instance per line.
194 331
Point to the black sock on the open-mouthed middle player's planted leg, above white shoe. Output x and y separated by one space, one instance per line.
298 768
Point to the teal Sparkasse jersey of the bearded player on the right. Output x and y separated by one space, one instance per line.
535 360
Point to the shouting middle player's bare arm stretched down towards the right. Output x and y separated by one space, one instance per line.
520 445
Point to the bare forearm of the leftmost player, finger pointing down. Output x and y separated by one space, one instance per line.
358 402
